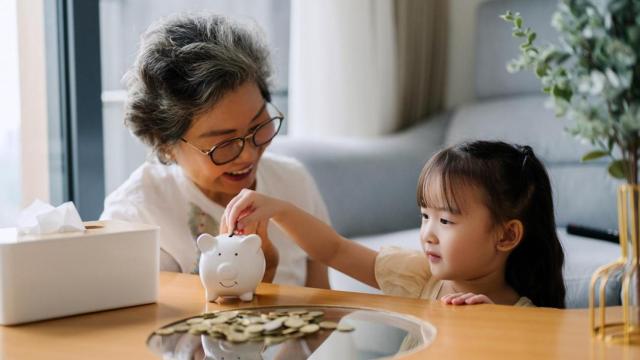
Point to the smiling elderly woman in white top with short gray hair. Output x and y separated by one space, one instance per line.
198 95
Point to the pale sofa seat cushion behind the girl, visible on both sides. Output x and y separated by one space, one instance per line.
582 257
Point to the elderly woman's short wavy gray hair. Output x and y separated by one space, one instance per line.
185 65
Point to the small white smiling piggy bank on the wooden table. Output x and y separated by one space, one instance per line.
231 266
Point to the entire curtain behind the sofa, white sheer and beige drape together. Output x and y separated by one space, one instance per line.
365 67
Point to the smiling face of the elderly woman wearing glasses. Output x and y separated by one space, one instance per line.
235 115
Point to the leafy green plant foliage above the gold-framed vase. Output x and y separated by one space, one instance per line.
592 75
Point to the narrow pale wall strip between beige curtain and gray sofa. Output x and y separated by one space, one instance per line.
460 71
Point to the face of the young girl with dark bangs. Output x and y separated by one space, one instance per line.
460 244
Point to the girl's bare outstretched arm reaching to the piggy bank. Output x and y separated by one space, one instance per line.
315 237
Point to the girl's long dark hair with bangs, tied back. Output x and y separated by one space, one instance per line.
516 186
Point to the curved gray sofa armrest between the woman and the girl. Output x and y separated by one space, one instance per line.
369 185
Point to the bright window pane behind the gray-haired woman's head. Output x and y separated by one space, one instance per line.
121 24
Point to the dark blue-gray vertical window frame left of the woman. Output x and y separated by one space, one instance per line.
74 105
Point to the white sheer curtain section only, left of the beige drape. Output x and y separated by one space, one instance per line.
342 72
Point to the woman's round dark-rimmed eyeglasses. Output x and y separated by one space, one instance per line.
228 150
